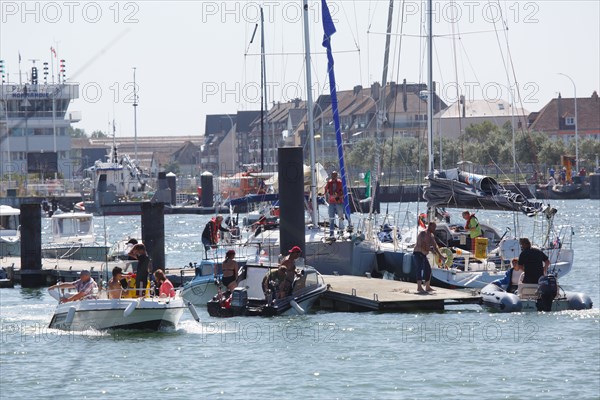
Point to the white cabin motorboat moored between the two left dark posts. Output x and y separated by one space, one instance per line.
73 238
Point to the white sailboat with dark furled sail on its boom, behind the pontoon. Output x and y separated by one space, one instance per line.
459 189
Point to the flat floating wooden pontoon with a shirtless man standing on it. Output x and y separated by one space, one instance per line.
355 293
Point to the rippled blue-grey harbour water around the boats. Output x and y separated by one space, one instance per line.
461 353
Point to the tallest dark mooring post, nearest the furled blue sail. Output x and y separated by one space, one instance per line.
291 199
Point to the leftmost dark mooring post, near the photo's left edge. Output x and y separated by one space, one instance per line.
31 246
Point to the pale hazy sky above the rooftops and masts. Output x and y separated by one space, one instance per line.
194 58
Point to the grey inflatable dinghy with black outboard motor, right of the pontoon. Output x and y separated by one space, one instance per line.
545 296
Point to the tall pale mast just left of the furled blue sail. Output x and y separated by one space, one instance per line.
309 110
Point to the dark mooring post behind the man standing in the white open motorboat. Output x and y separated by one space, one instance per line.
153 232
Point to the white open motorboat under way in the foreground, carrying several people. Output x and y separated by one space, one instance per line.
151 313
